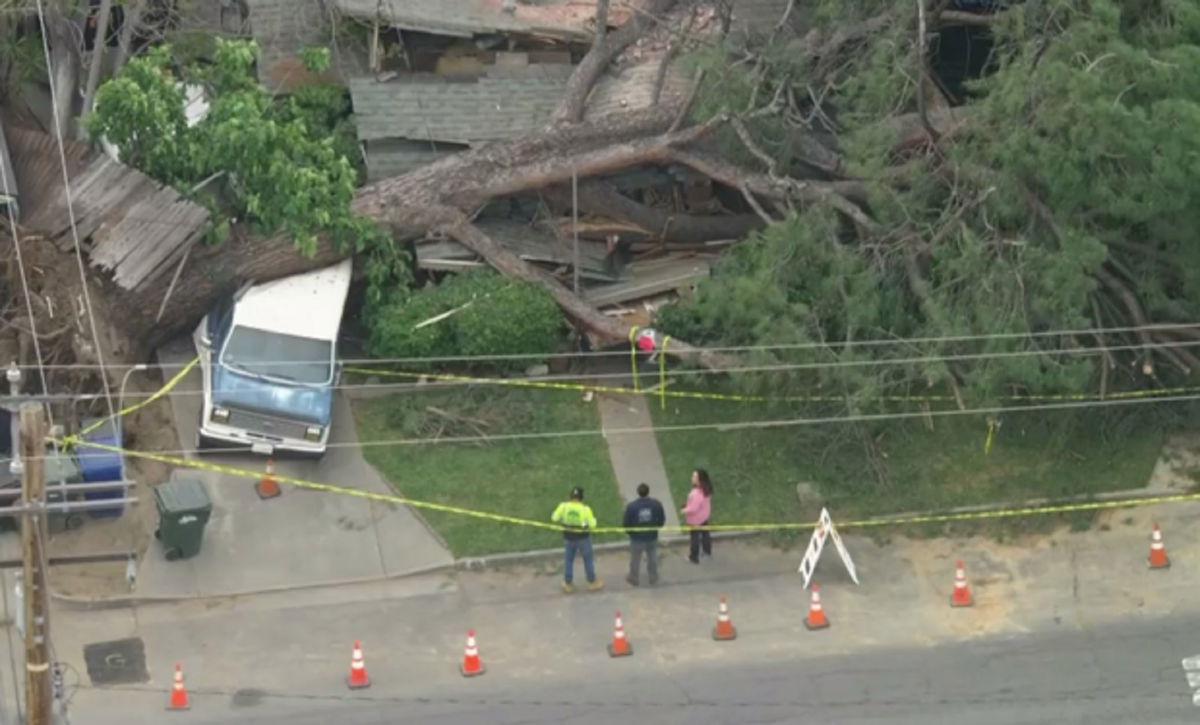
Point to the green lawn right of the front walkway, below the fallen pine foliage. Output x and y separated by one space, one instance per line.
757 471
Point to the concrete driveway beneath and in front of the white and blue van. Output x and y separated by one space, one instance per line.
303 538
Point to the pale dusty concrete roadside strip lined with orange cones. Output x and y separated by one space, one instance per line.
298 645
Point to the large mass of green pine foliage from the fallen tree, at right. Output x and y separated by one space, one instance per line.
1070 201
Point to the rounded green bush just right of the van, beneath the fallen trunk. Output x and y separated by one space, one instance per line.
494 316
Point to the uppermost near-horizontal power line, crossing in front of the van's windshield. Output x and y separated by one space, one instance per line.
819 346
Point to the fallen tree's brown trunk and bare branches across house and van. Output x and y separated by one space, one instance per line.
441 199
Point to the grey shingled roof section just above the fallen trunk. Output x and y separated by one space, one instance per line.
431 109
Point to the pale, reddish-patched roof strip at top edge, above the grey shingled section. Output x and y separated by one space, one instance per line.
459 19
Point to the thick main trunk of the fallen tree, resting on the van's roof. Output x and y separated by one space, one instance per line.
428 200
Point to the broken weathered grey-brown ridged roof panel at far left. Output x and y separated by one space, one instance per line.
137 227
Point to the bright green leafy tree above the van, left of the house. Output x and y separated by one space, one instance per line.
287 163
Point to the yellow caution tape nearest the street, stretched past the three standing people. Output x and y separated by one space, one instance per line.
935 518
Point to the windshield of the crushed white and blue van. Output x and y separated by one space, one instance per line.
279 356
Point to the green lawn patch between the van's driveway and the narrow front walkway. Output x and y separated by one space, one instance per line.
518 478
